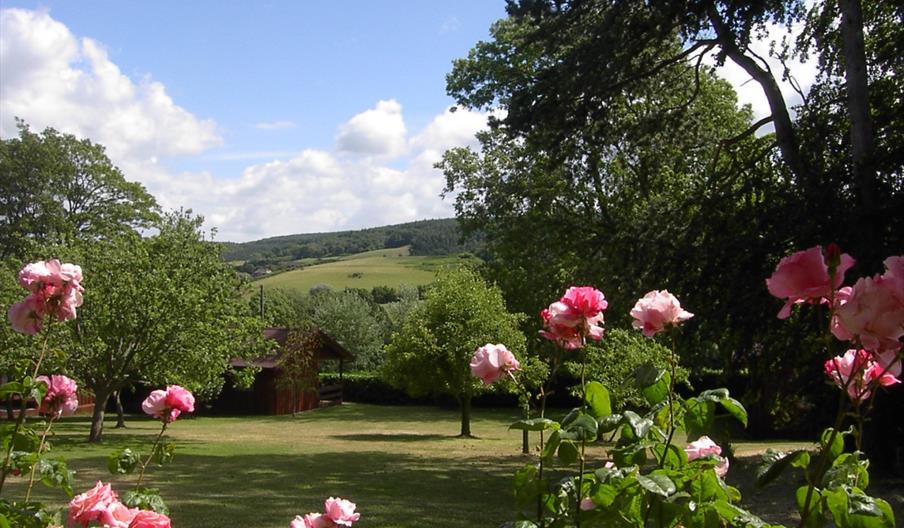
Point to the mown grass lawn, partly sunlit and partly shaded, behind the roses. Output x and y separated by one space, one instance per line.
403 466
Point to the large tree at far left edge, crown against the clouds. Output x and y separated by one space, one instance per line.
56 188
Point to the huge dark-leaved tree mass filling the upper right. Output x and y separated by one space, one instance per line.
620 161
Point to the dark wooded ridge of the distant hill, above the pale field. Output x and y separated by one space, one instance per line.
423 238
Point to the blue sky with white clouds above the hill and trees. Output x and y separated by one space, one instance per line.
269 117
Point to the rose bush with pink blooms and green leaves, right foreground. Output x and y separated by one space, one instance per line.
651 482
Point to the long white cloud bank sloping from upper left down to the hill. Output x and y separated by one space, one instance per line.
375 175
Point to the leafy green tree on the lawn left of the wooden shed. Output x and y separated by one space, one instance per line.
160 309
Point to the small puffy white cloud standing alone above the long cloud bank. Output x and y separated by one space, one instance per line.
378 132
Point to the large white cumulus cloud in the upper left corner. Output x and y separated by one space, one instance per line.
52 78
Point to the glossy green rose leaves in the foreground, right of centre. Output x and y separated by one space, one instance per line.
673 491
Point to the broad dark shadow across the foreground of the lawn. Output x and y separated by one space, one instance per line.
391 490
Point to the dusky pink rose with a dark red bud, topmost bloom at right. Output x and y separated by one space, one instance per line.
804 276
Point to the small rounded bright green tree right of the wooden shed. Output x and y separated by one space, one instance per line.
432 351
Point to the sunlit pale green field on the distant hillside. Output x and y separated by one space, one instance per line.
384 267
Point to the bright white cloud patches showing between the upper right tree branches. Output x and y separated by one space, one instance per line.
750 92
